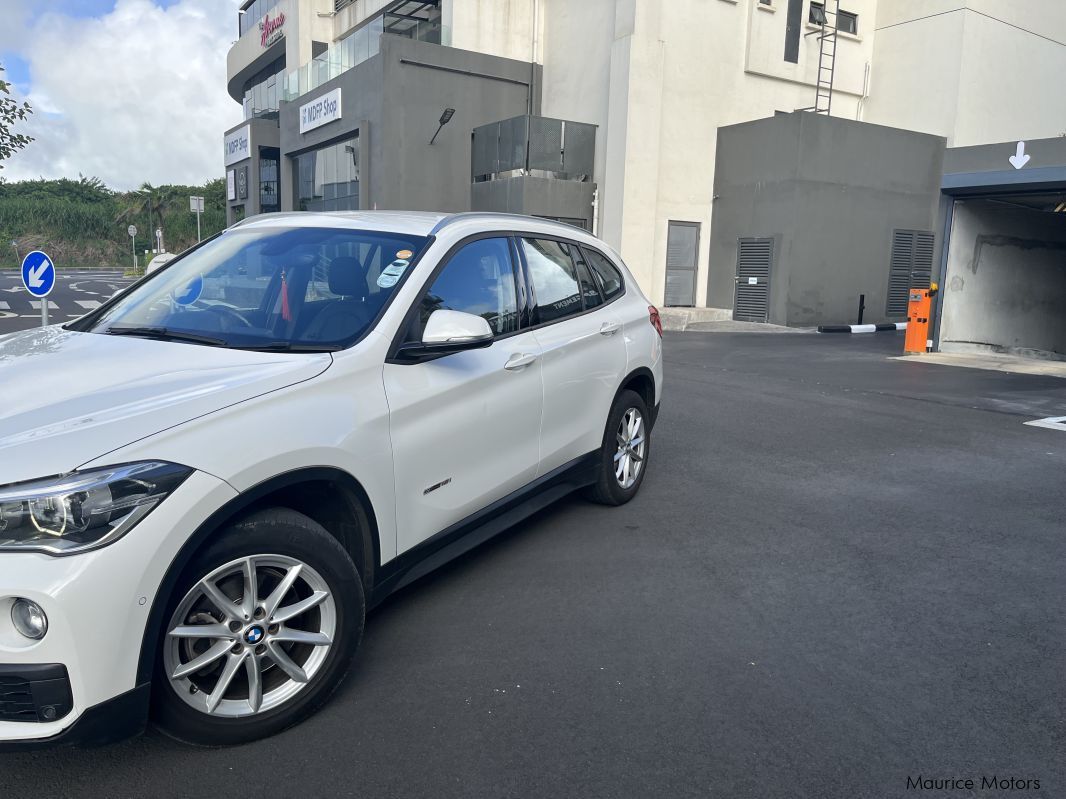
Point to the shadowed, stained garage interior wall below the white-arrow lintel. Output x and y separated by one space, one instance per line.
1006 283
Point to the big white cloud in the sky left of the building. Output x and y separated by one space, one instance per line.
138 94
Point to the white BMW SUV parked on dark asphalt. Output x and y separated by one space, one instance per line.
208 481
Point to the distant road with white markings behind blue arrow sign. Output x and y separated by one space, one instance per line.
76 293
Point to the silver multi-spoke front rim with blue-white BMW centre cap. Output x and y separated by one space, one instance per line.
250 637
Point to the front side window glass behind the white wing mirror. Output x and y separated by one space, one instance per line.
478 280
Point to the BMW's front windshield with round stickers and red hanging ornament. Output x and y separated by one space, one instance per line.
271 289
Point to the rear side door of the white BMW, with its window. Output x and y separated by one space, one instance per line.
583 349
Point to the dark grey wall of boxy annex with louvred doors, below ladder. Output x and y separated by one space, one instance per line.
830 192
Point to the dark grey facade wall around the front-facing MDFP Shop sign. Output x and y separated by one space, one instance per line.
395 101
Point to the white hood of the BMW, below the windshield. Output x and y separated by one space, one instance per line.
70 398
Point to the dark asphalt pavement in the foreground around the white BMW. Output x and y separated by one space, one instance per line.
843 572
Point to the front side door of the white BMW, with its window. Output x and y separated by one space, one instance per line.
466 427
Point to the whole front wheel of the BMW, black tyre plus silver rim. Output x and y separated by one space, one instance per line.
317 641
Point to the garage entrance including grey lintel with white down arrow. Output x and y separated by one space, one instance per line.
1004 266
